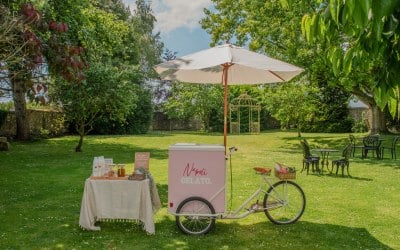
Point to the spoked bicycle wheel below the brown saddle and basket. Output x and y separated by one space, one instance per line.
284 202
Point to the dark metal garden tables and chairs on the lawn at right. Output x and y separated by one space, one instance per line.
372 143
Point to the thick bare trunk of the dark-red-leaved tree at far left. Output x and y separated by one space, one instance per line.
21 115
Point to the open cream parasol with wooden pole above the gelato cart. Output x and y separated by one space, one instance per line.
228 65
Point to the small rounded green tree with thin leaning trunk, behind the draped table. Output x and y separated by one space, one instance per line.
104 92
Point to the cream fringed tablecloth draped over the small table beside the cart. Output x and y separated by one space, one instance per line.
118 200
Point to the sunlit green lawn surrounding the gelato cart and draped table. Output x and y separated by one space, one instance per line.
41 187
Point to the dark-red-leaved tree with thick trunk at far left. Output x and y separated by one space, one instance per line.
36 42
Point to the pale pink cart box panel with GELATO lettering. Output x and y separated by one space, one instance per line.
196 170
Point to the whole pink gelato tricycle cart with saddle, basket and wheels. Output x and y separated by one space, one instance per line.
197 190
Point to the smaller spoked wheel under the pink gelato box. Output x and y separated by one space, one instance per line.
195 216
